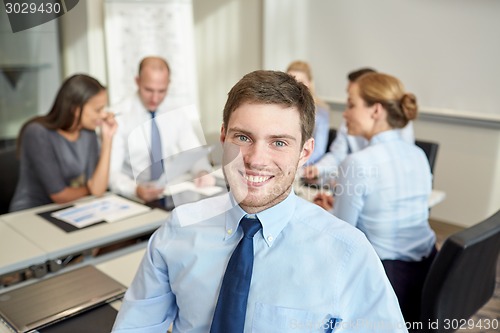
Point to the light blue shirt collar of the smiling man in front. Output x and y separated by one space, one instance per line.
273 219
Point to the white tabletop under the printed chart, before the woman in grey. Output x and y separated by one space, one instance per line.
29 239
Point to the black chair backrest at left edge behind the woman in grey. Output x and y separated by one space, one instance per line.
9 174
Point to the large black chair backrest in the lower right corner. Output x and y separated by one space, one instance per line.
462 277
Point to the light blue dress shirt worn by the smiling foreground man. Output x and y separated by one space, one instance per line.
310 270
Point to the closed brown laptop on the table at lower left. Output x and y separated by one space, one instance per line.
51 300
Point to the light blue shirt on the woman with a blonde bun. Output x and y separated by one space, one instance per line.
383 190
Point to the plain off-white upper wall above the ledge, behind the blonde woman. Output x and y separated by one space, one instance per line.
446 51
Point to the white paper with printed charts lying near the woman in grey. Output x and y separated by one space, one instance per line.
109 209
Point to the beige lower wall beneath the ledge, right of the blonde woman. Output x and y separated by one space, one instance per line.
467 169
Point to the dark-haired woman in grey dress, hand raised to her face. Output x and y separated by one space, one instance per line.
60 157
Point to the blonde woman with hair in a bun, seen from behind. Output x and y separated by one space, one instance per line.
383 189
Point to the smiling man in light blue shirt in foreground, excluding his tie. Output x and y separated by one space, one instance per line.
311 272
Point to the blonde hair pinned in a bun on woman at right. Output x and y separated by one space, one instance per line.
387 90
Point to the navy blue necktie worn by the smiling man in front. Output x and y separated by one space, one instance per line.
229 316
